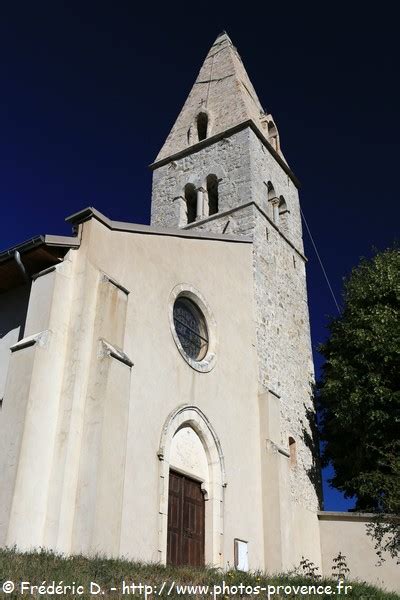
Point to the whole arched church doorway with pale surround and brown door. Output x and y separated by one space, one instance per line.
192 482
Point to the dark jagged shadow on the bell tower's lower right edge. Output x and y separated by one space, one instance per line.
310 437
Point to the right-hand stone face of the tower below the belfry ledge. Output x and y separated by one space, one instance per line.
284 347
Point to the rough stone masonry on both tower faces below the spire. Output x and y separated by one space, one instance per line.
244 167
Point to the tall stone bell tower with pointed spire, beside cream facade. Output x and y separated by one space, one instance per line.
222 170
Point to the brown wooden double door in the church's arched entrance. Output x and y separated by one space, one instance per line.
185 545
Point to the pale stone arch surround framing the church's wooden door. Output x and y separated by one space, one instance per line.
191 416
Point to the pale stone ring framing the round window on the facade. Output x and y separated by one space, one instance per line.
207 363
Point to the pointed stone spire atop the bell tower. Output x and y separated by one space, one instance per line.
222 95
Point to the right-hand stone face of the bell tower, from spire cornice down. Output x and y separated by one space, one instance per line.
283 326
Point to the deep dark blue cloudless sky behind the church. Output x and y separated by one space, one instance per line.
90 90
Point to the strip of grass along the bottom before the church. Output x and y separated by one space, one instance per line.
43 566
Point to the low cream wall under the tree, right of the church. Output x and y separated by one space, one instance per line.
347 533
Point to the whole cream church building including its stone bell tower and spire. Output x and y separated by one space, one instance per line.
156 381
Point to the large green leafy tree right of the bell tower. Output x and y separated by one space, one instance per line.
359 395
